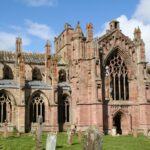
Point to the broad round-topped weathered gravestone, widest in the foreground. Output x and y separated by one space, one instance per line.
92 139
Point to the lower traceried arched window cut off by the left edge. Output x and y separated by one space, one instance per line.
5 107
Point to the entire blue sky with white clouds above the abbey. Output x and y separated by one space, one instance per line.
37 21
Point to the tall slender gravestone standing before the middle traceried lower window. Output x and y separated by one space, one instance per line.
39 134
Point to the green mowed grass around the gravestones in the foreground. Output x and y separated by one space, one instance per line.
27 142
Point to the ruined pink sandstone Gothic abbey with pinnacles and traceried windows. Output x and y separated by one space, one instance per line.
102 82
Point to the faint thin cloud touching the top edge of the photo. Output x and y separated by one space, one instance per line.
38 3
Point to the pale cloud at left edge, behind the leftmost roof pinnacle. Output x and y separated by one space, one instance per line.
8 40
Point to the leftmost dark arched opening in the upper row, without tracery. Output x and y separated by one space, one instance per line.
7 73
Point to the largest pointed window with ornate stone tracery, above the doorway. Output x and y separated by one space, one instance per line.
116 74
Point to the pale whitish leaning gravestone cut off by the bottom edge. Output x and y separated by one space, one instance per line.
51 141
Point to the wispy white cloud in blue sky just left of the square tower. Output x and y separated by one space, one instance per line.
40 30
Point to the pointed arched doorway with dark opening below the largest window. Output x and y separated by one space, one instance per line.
120 123
